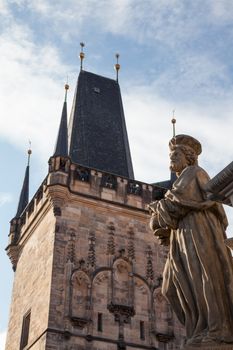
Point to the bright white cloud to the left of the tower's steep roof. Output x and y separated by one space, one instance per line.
31 86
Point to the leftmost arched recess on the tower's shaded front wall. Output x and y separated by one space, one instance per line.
80 298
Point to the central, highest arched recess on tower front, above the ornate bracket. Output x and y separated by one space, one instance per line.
122 283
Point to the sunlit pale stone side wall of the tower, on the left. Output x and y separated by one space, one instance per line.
32 283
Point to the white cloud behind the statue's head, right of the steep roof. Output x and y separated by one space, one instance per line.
149 126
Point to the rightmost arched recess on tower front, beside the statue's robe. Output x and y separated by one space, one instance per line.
163 315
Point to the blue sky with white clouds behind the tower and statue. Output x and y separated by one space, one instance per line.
174 54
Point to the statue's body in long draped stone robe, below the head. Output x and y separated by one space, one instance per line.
198 275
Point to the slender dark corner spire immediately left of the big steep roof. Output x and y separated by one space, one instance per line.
61 147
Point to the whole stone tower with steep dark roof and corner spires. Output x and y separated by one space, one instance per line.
87 269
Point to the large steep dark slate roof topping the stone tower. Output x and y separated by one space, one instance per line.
97 131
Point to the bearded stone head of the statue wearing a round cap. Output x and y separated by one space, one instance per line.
184 152
